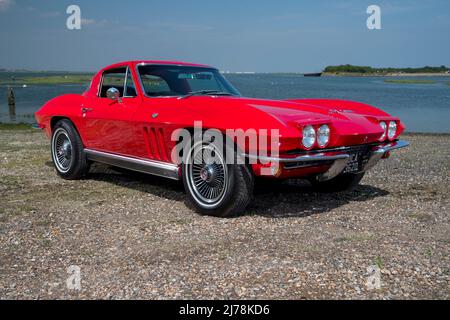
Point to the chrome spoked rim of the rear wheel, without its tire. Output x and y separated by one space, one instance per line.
62 150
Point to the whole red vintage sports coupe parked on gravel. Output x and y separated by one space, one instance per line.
187 122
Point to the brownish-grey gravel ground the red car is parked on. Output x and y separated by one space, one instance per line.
132 235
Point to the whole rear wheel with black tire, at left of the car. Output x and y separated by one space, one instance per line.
67 151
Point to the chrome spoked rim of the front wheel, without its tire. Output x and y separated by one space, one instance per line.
207 175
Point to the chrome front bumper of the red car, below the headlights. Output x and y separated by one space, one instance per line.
338 158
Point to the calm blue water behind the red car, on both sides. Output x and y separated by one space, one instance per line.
422 107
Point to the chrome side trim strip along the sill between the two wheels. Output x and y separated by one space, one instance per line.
157 168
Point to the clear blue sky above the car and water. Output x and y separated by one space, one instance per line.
244 35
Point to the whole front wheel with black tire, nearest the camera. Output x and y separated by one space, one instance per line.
214 187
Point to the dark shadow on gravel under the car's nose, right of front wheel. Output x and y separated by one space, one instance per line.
296 198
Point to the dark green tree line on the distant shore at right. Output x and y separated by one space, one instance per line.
348 68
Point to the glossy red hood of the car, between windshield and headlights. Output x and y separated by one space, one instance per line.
352 121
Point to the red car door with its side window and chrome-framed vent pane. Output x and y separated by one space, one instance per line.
109 123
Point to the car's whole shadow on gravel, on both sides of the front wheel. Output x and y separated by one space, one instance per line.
293 198
